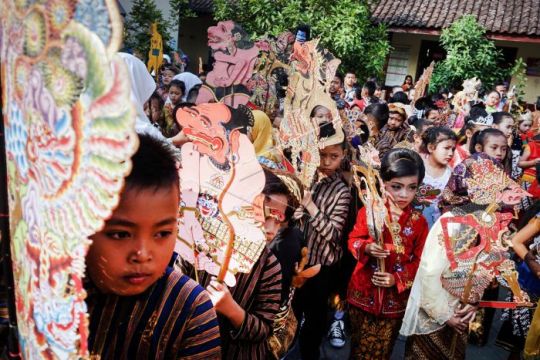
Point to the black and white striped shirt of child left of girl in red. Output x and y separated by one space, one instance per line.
323 231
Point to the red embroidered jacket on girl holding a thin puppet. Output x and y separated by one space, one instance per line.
386 302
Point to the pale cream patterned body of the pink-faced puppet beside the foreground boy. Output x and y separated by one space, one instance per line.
203 235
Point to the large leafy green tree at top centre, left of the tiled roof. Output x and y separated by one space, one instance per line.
344 27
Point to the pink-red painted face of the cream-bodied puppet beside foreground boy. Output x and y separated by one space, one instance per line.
203 124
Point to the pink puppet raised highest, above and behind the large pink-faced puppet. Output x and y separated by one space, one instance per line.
235 56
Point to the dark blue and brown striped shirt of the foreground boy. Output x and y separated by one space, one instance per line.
173 319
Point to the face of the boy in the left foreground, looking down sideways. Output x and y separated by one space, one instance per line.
135 246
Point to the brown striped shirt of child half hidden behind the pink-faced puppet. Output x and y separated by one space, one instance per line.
259 294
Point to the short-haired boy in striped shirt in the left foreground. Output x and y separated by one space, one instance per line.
141 307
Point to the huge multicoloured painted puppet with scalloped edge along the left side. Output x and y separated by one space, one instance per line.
69 137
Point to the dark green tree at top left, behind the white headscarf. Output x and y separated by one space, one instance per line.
137 27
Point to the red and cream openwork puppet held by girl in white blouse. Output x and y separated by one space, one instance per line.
473 238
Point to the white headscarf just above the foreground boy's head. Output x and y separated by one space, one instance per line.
142 87
